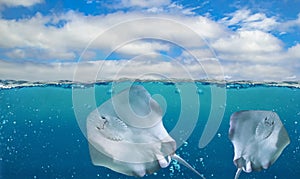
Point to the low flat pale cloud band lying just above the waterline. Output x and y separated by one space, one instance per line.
140 67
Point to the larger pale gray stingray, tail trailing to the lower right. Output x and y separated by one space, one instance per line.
126 135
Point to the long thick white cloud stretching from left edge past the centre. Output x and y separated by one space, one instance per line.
42 34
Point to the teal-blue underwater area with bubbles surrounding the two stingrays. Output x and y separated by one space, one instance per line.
41 137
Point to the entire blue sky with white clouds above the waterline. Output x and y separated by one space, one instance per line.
88 40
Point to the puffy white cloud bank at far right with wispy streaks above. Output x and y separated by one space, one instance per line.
253 49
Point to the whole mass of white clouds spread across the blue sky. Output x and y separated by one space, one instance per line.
57 41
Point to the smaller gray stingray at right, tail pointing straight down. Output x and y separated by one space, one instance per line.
258 137
